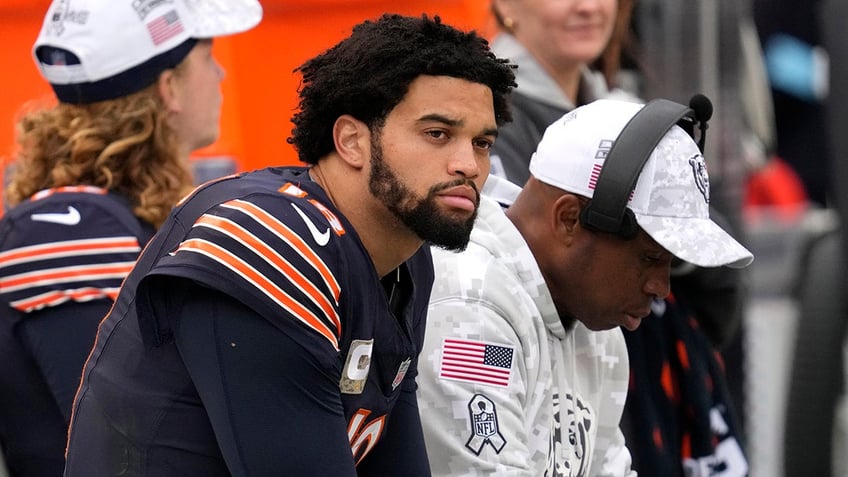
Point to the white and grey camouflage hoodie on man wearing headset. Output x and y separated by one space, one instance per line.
504 388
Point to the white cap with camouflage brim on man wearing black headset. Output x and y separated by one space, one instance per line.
672 194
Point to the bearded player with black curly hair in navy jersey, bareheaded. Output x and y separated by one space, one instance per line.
273 324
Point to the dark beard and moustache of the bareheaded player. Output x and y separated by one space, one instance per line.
421 215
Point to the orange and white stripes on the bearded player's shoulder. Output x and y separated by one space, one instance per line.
330 328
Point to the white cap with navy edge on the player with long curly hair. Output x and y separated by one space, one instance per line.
93 50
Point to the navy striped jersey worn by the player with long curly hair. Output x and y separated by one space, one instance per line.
63 255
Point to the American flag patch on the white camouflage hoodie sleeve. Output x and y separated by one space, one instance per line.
476 362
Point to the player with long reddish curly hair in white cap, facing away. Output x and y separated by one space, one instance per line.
138 90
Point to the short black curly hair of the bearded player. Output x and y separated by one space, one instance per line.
369 73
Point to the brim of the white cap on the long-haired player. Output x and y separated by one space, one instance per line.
215 18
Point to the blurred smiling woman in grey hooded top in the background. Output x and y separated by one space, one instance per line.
568 54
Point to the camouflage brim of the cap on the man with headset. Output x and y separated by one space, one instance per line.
695 240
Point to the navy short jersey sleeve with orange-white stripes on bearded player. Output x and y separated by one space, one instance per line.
280 258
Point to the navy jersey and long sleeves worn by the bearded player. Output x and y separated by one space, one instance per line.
254 337
